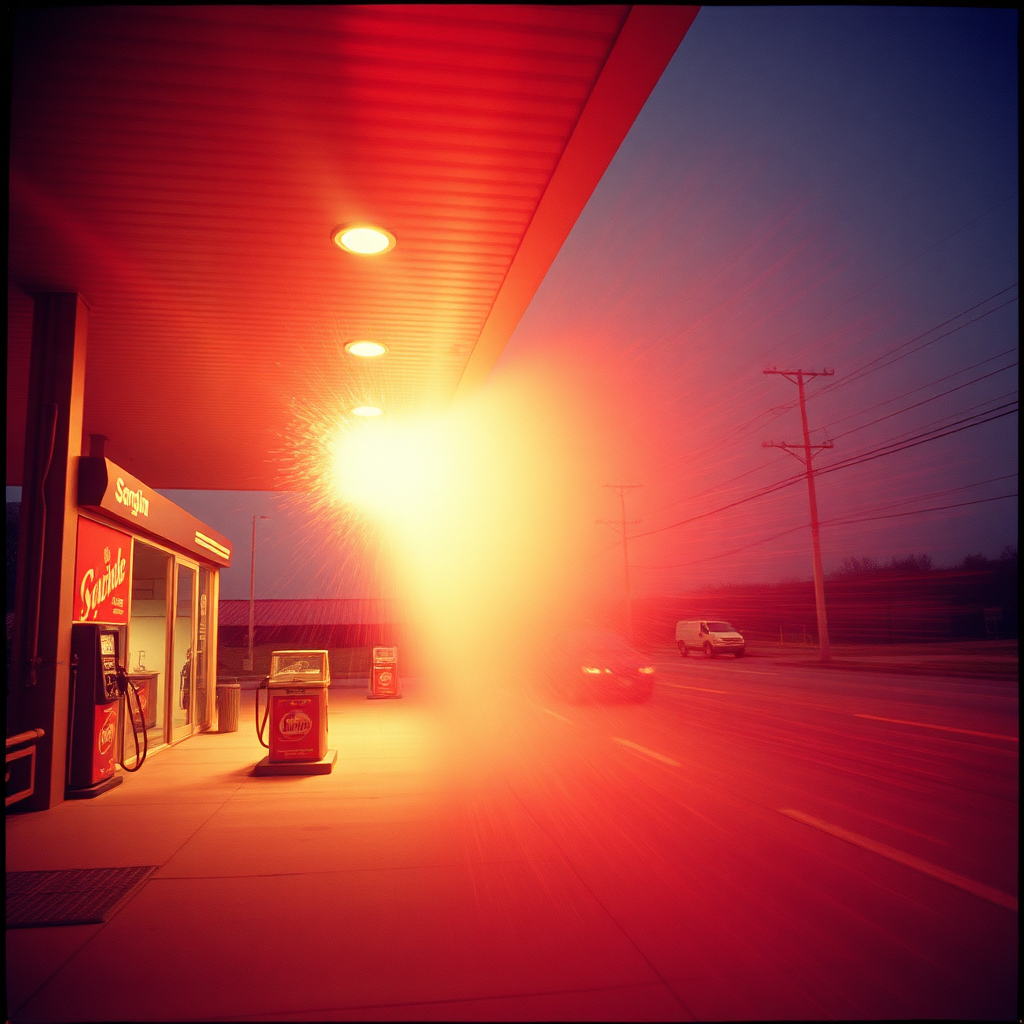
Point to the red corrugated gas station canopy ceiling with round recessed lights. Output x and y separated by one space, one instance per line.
185 169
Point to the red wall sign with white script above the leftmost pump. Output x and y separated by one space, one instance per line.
103 574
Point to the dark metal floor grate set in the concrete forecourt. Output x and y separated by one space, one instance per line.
87 897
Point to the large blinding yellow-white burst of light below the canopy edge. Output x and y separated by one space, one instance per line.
480 519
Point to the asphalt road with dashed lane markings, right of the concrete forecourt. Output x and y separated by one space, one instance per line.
792 843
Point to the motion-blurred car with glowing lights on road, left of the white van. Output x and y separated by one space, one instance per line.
588 665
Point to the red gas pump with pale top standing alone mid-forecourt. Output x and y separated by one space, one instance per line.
296 708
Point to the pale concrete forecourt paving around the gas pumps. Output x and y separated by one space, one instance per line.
409 884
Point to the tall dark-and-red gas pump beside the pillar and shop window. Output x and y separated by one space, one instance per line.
94 722
